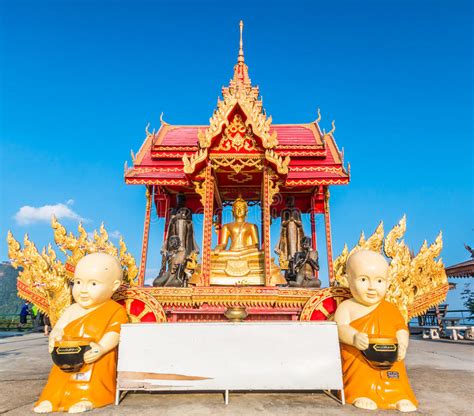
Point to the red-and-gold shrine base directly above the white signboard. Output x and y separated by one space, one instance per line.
209 304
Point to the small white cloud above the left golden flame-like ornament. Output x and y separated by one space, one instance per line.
29 215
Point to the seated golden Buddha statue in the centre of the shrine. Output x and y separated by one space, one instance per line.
243 262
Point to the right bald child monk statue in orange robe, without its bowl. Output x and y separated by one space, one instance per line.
369 314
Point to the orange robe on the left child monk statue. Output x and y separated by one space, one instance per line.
95 382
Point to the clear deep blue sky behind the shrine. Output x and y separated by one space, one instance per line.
81 79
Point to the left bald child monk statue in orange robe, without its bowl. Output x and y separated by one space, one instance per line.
96 317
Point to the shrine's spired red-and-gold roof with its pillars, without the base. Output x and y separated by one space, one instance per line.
240 153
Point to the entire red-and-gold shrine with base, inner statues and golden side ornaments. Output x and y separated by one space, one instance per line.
241 159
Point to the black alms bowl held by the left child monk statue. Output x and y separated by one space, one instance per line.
68 354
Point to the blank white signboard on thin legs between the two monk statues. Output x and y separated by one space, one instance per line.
229 356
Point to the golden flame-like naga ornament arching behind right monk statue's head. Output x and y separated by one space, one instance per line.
417 282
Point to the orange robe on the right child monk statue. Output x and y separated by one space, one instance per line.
384 387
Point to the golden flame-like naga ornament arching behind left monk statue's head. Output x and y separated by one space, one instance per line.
45 281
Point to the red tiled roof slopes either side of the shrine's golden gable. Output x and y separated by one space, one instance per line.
160 157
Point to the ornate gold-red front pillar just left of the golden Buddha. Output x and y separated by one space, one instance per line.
208 203
